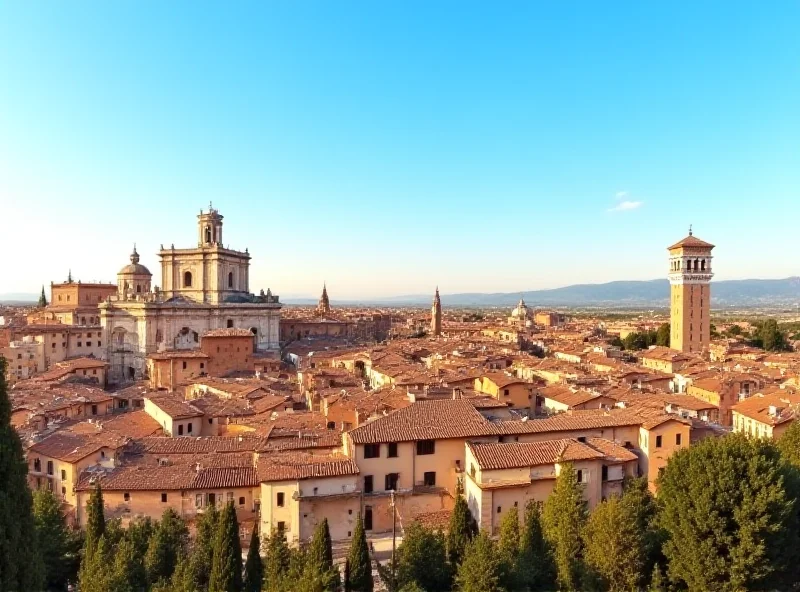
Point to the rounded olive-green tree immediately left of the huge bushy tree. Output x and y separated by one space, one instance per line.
613 547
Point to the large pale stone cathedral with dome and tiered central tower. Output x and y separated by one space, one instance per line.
203 288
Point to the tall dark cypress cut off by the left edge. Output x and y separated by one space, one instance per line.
20 561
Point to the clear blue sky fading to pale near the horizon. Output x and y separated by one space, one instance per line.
390 146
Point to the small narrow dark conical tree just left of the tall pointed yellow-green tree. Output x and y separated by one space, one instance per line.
535 568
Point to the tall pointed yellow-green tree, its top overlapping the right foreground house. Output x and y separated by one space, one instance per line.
563 518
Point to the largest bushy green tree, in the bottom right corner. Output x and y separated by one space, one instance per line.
729 508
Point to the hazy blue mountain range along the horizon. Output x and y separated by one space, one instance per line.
784 292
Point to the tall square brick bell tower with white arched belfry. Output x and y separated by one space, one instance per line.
690 294
